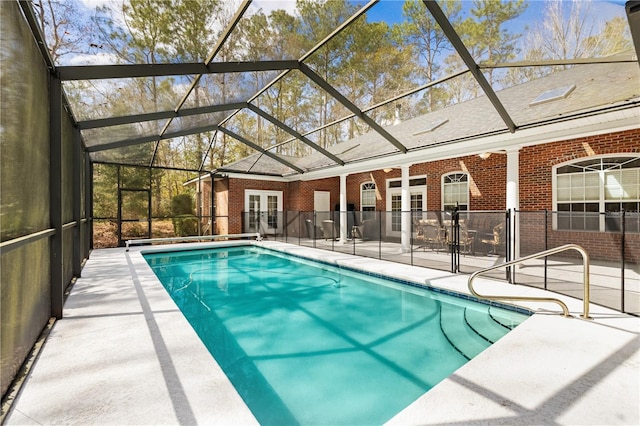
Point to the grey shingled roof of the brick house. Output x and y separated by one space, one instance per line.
595 89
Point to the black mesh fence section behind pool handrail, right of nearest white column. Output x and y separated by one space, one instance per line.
612 241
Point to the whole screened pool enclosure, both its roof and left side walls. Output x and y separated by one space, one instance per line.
113 116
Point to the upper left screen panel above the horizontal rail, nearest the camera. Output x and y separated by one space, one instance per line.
25 130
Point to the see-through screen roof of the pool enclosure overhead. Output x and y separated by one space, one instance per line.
328 84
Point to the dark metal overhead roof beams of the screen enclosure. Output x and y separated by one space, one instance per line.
209 67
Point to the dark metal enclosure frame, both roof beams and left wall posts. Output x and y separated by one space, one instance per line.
82 152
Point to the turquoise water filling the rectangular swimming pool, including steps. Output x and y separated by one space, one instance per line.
308 343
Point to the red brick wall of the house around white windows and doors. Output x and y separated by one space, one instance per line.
487 189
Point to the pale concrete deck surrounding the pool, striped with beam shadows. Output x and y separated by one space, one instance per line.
124 354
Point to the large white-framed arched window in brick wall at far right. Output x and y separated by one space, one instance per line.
590 194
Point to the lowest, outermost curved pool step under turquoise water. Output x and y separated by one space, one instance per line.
463 338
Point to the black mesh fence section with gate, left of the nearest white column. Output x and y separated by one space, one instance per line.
446 240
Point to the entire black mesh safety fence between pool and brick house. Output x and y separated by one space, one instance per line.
467 241
